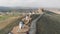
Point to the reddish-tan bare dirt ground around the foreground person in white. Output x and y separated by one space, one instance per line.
22 31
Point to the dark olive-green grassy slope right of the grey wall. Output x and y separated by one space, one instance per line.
49 24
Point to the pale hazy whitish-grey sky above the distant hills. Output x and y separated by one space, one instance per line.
30 3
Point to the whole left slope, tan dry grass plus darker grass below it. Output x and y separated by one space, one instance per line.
8 24
